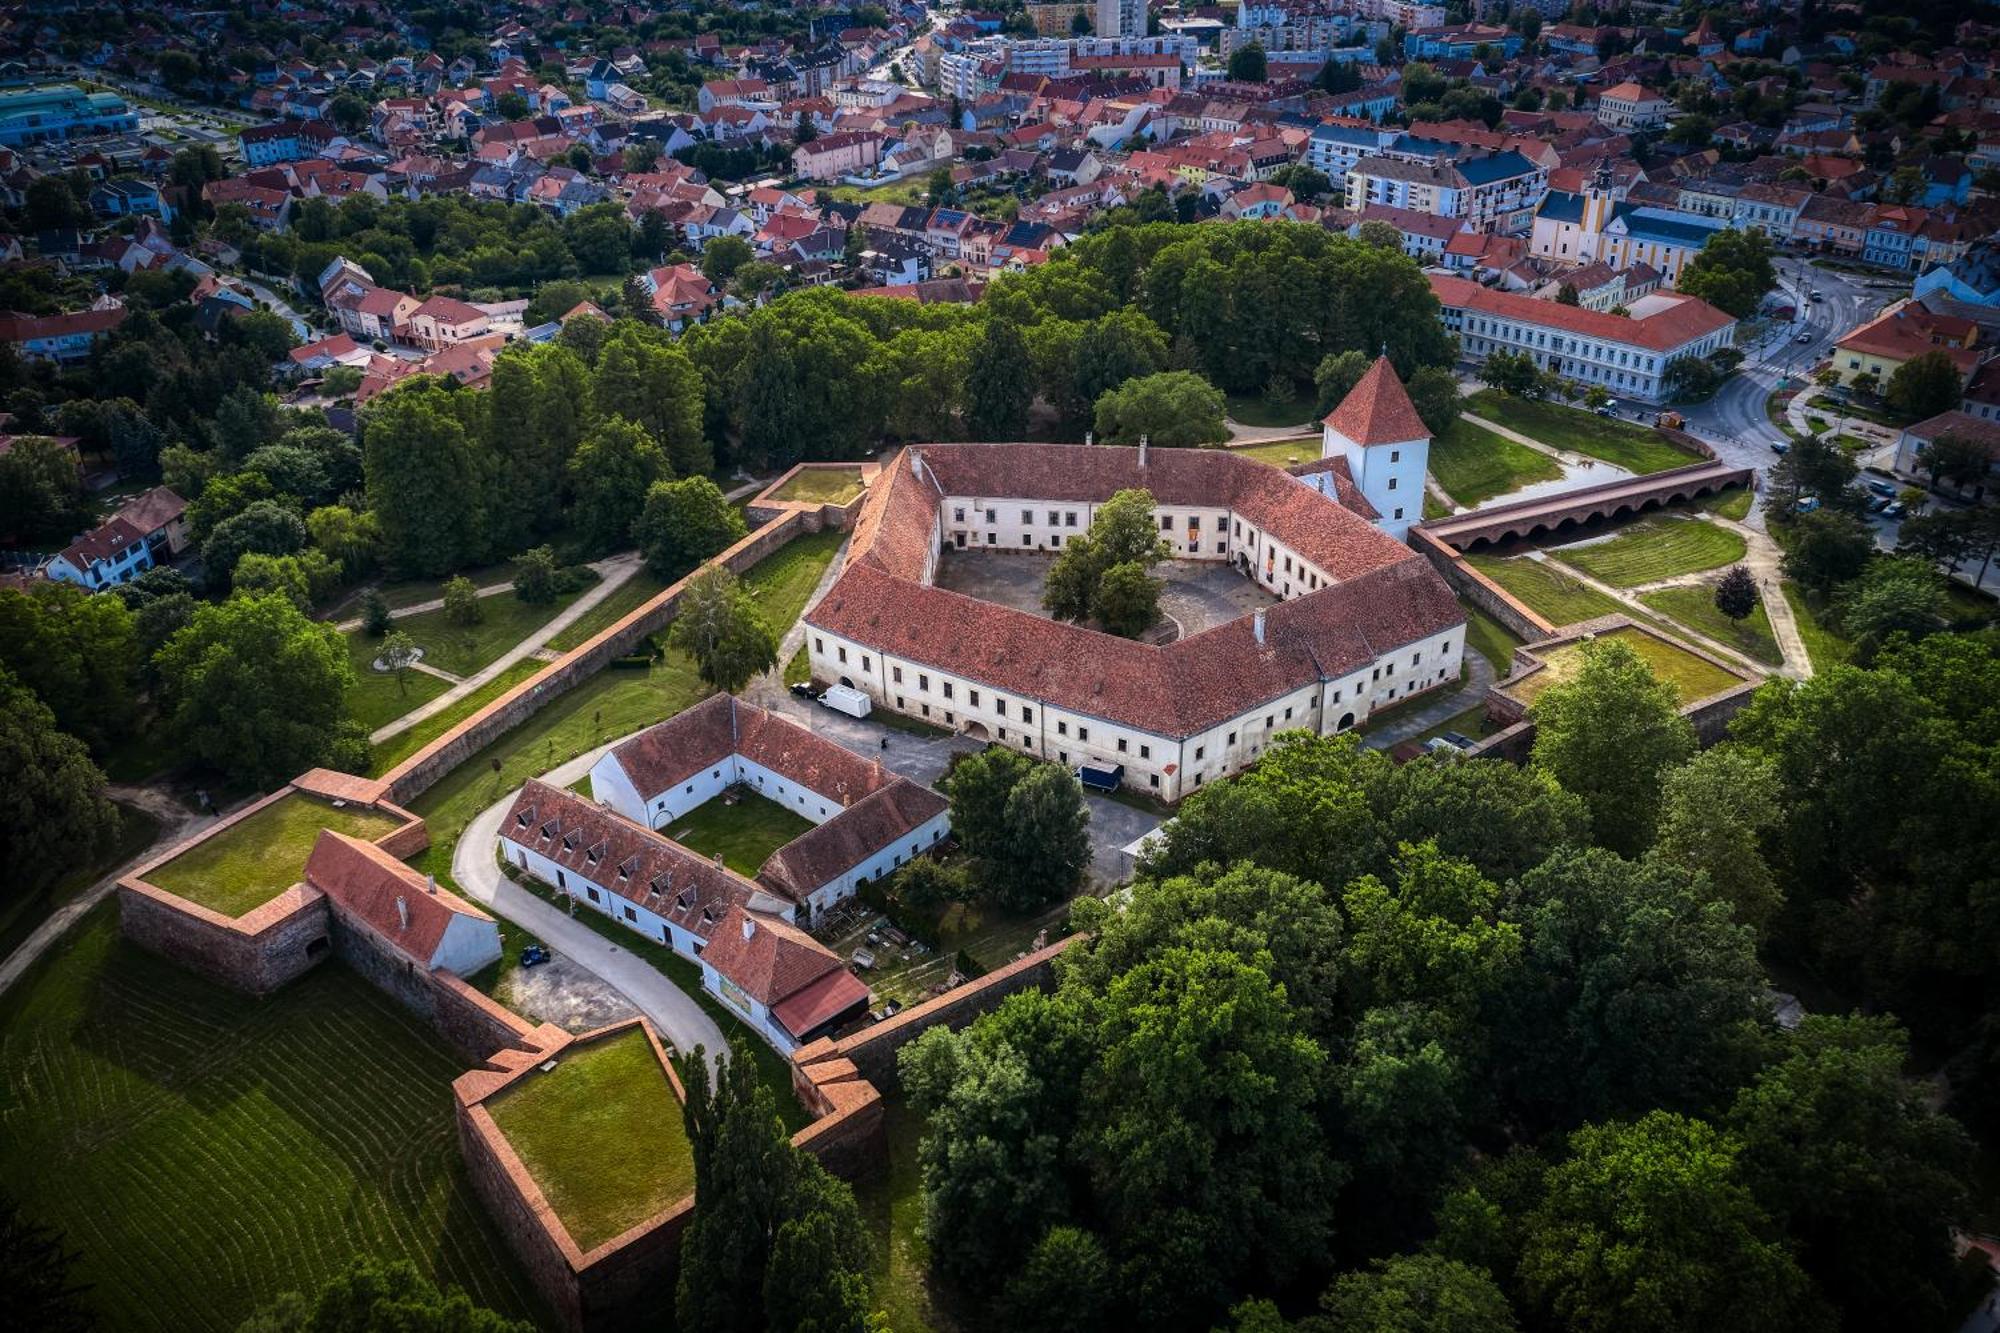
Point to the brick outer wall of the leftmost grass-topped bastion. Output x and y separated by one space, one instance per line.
255 954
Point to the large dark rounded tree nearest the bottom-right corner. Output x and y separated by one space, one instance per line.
1857 1166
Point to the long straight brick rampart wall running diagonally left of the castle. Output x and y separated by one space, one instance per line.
431 764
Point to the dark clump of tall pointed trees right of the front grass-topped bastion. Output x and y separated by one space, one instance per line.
777 1244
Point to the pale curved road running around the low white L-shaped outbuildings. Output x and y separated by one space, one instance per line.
475 870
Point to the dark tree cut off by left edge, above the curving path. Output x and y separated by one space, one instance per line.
61 812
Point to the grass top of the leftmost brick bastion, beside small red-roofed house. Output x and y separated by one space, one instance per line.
259 858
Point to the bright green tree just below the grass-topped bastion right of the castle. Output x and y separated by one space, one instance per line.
1607 736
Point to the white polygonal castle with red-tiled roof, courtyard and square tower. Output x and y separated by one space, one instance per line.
1361 621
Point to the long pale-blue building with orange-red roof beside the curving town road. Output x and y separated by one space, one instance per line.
1625 353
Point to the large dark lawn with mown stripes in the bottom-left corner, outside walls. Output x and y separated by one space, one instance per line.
207 1154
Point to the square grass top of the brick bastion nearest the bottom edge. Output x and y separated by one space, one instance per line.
603 1136
